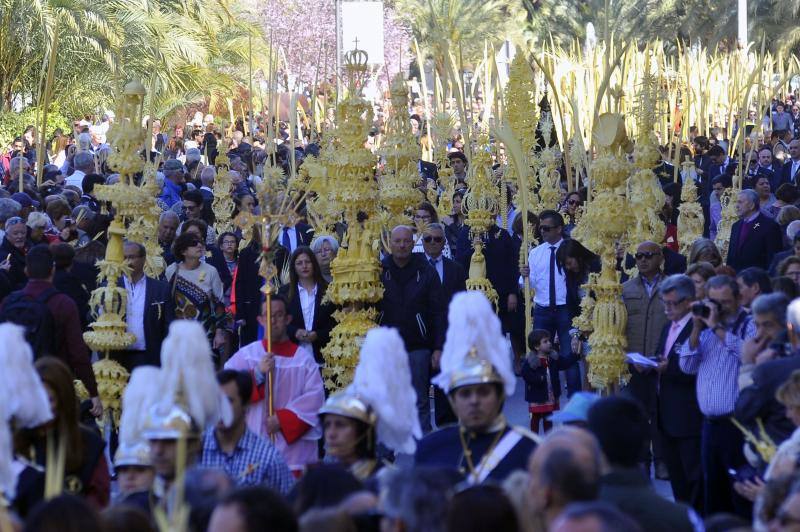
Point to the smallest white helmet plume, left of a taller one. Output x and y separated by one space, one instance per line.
140 395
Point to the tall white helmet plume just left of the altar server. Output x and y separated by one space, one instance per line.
187 368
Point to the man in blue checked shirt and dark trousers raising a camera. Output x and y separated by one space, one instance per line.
719 330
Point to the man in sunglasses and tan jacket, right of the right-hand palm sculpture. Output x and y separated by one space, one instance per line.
646 319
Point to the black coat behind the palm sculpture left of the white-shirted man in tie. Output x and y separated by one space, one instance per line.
501 270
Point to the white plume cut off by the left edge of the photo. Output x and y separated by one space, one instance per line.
23 391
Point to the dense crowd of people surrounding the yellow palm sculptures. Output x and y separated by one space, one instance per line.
712 404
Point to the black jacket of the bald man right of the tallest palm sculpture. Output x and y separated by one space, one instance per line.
413 302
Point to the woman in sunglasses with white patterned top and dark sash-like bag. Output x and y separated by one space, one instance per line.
197 288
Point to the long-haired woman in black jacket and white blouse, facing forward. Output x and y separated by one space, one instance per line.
312 320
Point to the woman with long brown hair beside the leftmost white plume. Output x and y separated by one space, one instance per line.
85 468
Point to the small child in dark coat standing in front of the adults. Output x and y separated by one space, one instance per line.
539 370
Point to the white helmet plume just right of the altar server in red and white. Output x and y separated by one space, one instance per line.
383 379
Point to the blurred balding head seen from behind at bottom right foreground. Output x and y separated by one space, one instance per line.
565 468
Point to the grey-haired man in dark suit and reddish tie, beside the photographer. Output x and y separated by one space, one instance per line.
679 418
